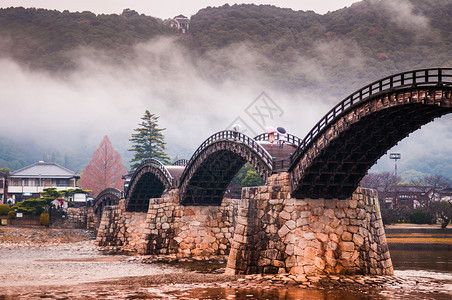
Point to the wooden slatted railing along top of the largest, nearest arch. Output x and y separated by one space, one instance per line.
416 78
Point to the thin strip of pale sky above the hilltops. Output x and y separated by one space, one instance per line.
169 8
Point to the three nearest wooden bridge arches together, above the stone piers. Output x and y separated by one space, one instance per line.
328 163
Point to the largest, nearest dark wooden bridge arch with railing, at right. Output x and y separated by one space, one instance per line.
348 140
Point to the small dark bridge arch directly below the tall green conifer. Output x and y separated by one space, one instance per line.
149 180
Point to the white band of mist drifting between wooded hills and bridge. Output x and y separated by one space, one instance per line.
106 96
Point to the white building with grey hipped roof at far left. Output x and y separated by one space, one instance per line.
30 181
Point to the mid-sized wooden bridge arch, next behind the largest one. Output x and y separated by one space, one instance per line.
215 163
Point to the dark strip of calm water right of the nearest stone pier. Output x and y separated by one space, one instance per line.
434 260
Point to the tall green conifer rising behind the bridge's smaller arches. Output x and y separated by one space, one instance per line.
148 141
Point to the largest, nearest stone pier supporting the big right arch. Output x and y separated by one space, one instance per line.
279 234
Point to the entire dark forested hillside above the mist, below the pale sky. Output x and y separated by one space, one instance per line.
355 42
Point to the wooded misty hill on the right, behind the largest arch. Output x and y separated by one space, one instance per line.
362 41
